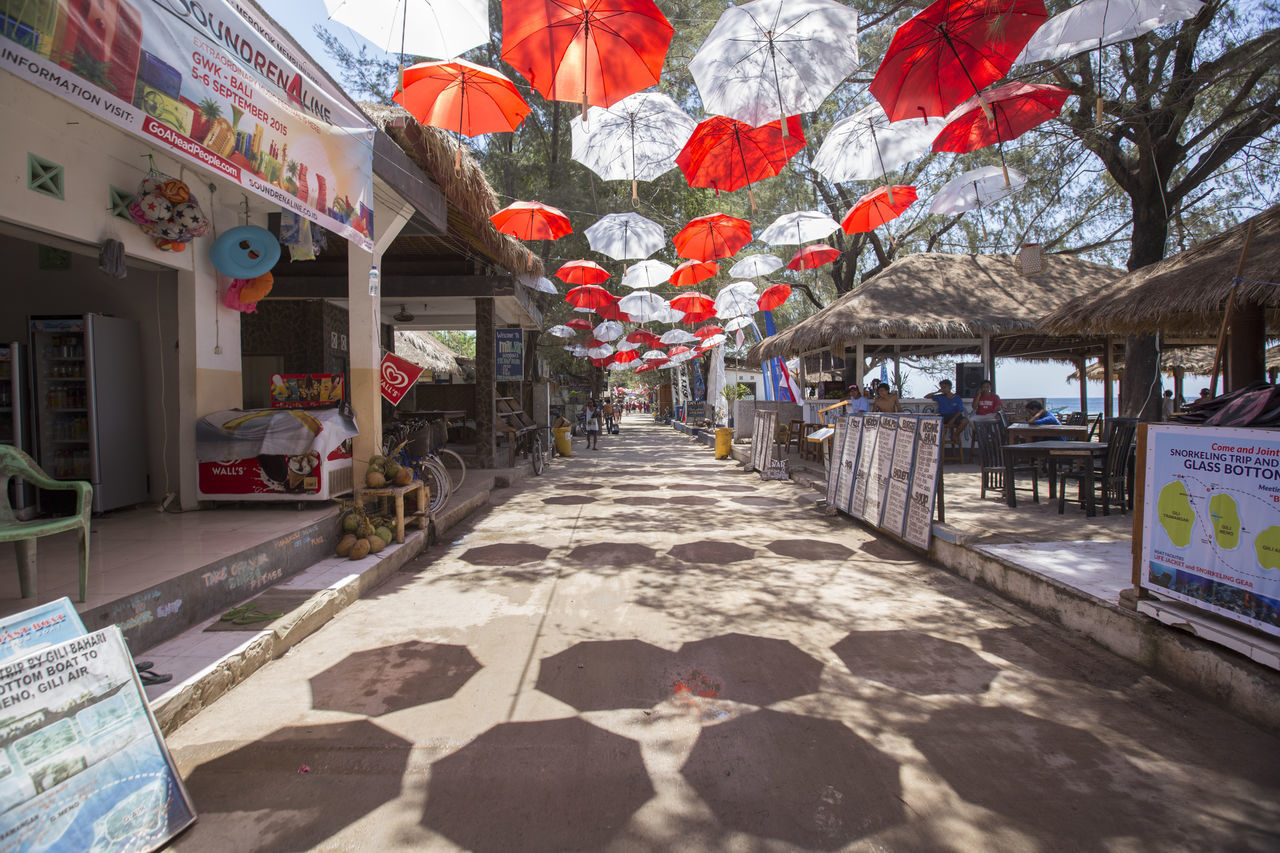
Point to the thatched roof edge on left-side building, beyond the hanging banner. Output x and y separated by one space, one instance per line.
472 199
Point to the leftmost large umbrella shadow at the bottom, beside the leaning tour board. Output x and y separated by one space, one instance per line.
353 769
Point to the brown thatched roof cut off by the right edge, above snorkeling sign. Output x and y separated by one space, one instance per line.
1186 294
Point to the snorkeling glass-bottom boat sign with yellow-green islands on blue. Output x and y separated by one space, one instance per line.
1212 521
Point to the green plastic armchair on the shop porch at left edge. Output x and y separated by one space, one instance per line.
24 535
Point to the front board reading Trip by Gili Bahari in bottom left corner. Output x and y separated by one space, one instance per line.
83 765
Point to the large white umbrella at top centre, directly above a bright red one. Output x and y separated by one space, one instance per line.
774 58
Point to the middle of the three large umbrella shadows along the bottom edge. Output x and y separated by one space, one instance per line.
538 787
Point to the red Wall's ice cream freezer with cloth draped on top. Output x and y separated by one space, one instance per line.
275 455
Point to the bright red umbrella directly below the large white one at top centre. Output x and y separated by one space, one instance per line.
726 154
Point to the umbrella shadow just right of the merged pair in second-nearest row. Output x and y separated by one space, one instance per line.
916 663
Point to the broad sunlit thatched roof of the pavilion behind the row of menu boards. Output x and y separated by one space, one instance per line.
943 297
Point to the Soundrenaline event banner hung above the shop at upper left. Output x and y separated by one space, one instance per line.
212 84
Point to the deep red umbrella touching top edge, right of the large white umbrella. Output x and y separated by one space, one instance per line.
952 51
